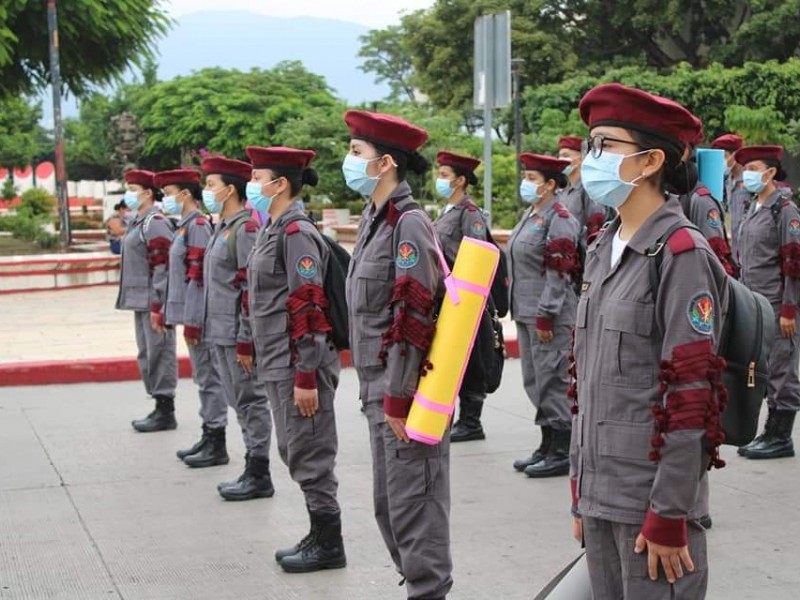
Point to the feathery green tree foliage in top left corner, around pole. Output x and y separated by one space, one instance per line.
99 40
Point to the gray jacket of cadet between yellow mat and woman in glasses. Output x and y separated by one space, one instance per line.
543 259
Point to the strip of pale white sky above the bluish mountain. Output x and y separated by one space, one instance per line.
373 14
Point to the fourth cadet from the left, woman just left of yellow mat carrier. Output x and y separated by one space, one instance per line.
295 356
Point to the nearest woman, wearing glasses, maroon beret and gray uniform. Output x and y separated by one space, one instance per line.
646 424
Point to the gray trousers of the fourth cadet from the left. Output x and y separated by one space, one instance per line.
308 445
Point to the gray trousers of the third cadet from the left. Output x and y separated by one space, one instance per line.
248 397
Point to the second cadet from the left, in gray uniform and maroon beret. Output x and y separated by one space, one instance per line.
185 307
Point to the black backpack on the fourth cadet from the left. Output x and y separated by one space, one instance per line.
334 284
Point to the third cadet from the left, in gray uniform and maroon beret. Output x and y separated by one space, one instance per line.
225 323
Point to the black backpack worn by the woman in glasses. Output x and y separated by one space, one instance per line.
748 333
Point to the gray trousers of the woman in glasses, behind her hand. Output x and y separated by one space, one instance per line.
618 573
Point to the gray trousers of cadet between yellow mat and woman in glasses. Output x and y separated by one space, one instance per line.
545 374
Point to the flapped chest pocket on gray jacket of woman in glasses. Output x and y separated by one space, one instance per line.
629 355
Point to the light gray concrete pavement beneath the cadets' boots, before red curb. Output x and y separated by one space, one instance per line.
91 510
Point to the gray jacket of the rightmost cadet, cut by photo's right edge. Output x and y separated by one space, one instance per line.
770 252
